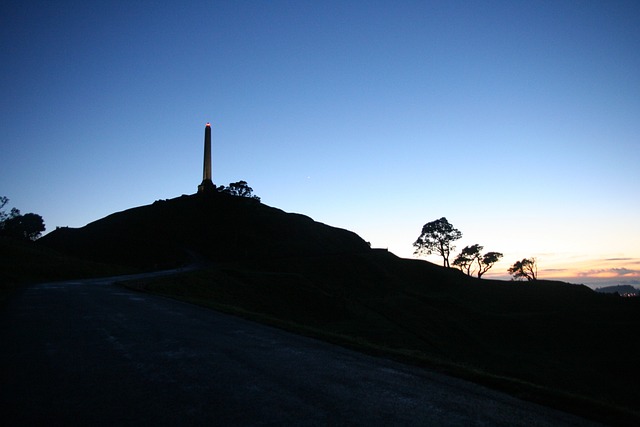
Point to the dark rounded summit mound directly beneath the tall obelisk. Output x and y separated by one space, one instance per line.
212 226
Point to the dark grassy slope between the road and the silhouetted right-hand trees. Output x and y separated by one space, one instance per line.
559 344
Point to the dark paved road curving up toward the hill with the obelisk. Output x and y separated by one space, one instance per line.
92 353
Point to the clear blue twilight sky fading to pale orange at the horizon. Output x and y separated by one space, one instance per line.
518 121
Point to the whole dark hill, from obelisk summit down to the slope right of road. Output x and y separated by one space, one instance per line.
559 344
